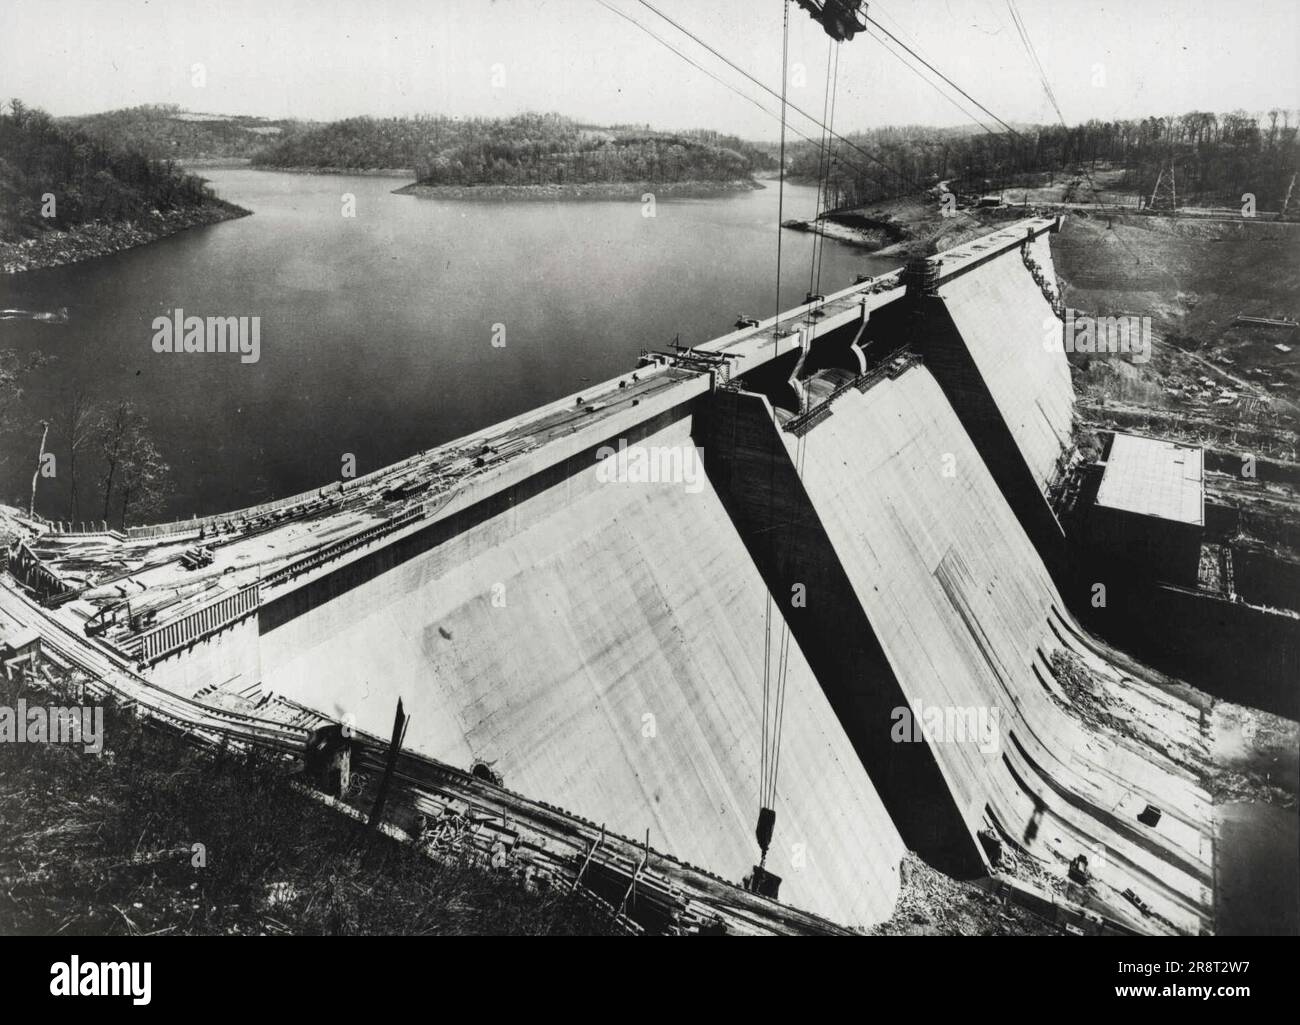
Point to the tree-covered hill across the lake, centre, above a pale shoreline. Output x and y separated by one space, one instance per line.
525 150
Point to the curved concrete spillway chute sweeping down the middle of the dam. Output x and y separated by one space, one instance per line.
964 611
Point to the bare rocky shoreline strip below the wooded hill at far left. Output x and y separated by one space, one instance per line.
96 239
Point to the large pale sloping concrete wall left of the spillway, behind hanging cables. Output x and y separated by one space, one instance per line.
614 603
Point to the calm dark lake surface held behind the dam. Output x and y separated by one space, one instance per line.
378 330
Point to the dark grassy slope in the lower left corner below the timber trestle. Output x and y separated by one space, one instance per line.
106 846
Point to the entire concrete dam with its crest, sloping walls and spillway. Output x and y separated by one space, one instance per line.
593 626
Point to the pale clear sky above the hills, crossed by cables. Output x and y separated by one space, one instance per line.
331 59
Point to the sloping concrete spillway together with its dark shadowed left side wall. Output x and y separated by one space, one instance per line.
947 586
